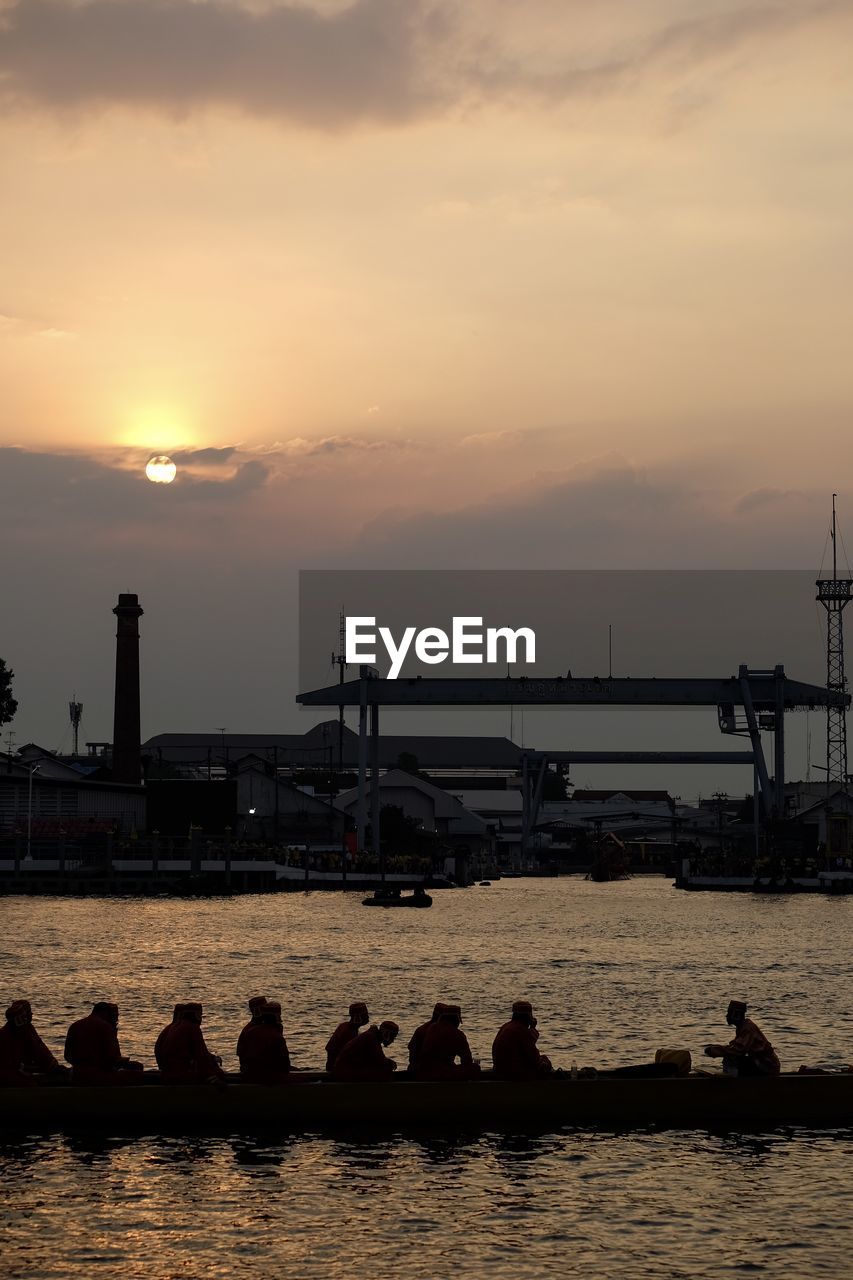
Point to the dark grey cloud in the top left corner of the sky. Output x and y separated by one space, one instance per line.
289 61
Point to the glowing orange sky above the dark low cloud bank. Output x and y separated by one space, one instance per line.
631 226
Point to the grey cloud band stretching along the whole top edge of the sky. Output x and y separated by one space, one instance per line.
382 62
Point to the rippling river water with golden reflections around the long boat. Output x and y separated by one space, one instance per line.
614 971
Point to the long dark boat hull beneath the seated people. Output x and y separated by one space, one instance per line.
703 1103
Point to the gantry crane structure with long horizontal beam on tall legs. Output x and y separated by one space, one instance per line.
747 705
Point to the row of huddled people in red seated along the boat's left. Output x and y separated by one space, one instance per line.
437 1052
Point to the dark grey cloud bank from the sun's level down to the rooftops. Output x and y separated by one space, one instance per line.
218 578
